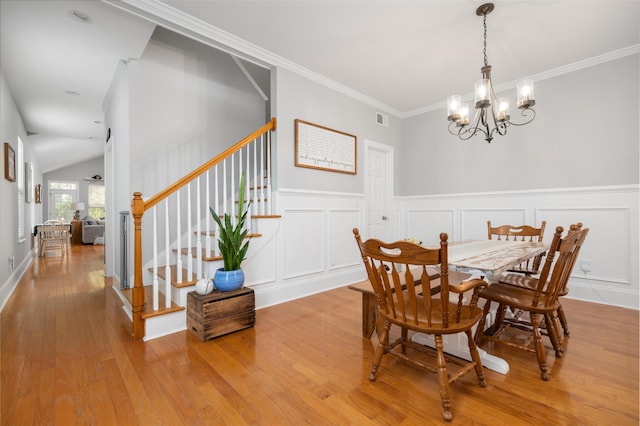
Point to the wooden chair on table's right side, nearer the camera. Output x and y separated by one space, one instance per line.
540 305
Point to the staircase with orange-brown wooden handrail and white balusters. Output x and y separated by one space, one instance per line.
152 313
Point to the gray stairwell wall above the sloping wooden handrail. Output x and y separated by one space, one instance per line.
188 102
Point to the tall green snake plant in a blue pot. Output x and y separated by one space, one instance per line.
233 244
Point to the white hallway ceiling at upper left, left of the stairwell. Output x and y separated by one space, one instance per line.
47 52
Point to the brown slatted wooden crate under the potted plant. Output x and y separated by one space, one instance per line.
220 313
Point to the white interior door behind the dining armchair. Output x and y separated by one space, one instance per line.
378 190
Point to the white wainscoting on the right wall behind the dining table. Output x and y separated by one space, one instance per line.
611 213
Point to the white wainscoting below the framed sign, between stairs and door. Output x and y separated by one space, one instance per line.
315 249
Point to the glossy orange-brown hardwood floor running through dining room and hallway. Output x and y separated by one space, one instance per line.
67 358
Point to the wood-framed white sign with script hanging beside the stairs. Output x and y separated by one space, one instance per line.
322 148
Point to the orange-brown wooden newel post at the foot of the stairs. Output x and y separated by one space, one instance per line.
137 210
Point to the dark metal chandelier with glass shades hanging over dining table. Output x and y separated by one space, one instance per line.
492 115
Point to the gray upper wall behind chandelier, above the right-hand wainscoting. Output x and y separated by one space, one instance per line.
585 134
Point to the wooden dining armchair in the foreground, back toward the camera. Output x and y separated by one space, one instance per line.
404 299
